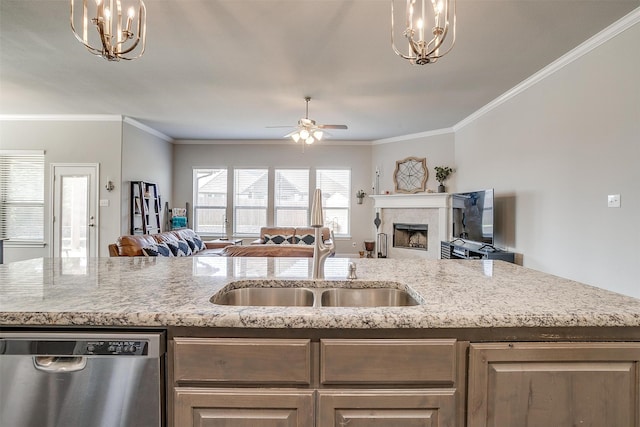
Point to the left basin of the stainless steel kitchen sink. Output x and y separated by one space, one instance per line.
299 297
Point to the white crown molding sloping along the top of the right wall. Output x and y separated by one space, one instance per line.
624 23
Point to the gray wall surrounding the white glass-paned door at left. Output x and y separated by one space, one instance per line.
69 141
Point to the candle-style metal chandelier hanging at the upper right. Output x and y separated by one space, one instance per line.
421 15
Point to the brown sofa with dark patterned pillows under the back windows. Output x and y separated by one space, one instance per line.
281 242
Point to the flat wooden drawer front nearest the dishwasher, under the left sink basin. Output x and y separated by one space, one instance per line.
223 361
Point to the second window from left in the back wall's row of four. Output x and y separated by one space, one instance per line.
251 199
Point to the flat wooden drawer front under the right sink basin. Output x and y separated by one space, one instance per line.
388 361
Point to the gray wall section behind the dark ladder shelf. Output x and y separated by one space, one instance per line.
145 157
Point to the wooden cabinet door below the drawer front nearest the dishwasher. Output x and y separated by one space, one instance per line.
199 407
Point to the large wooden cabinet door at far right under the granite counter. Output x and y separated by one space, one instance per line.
554 384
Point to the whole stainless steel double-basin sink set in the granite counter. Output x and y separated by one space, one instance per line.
331 294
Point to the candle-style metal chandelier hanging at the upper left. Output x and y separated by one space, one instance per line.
116 36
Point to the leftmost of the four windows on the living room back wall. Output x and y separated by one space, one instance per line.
210 206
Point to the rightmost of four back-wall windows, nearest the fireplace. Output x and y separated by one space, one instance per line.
335 185
